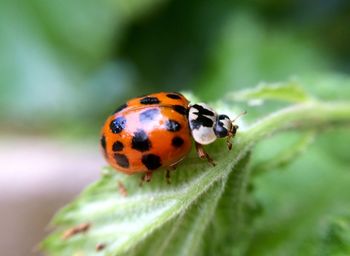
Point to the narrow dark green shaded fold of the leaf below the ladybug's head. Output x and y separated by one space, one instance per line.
229 224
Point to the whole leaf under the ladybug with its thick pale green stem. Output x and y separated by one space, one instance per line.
159 219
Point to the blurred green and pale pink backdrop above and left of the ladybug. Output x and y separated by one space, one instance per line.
65 65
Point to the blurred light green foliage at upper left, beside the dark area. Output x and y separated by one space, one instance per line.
56 57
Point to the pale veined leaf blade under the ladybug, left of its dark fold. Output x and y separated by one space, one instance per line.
121 223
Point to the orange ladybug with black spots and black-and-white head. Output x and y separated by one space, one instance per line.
156 130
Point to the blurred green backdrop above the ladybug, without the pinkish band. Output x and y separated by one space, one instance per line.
65 64
